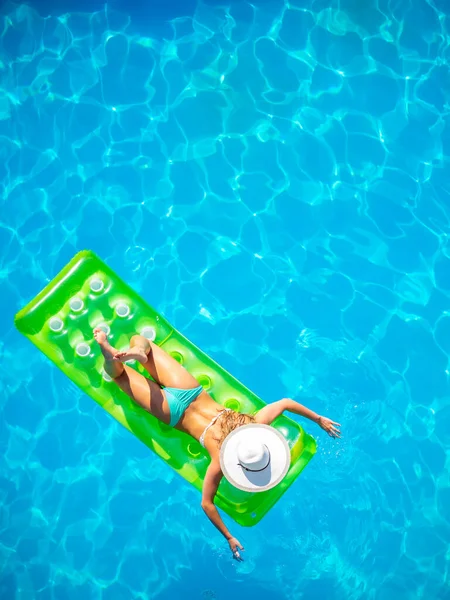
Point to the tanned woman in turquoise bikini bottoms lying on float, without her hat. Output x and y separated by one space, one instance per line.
184 404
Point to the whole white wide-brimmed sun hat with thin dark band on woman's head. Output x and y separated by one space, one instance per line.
255 457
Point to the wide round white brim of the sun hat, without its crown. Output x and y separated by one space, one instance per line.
250 481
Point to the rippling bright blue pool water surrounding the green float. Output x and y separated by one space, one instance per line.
274 177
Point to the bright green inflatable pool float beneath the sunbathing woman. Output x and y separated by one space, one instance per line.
88 294
